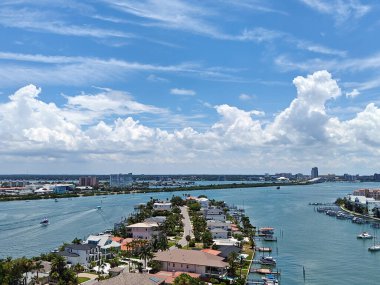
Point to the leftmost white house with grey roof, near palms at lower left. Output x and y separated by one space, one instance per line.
81 253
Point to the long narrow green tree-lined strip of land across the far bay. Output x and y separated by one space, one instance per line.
149 190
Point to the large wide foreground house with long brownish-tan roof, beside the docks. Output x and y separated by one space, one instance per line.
194 261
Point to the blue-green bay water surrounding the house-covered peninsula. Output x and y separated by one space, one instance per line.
326 247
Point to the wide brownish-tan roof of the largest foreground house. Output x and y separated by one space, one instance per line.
191 257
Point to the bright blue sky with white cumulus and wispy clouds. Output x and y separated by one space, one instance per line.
245 86
